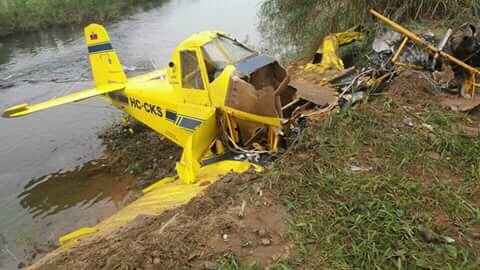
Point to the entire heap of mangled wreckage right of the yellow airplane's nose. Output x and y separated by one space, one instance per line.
447 63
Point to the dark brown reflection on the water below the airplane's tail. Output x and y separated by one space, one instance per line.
82 188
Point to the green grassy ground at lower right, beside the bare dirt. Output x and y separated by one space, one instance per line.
413 205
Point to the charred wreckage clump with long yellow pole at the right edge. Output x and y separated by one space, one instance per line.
420 52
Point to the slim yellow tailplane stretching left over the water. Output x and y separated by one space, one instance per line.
25 109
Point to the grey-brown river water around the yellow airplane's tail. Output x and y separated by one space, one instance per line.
50 178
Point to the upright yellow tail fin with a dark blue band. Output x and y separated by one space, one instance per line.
106 67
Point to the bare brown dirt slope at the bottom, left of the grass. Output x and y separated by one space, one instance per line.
196 236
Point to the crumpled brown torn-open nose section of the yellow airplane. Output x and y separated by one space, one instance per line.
262 92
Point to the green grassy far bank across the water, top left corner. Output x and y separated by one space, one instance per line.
28 15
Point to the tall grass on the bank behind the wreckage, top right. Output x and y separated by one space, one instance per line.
300 23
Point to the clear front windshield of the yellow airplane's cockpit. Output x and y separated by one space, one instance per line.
221 52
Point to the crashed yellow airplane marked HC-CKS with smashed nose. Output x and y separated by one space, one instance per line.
215 92
